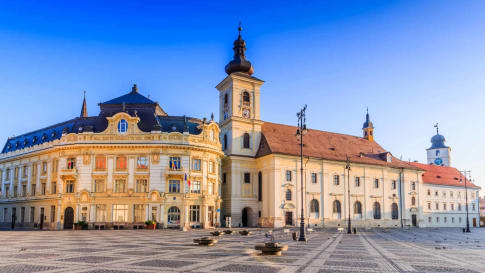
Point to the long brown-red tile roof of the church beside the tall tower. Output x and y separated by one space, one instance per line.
281 139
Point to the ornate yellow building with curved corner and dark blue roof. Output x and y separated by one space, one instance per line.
129 164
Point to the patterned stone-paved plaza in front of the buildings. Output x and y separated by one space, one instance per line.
108 251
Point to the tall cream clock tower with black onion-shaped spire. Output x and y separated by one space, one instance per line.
240 123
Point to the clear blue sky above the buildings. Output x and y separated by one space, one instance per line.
413 63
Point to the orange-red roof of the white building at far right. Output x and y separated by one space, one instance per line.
441 175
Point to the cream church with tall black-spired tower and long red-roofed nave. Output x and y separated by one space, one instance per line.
260 172
